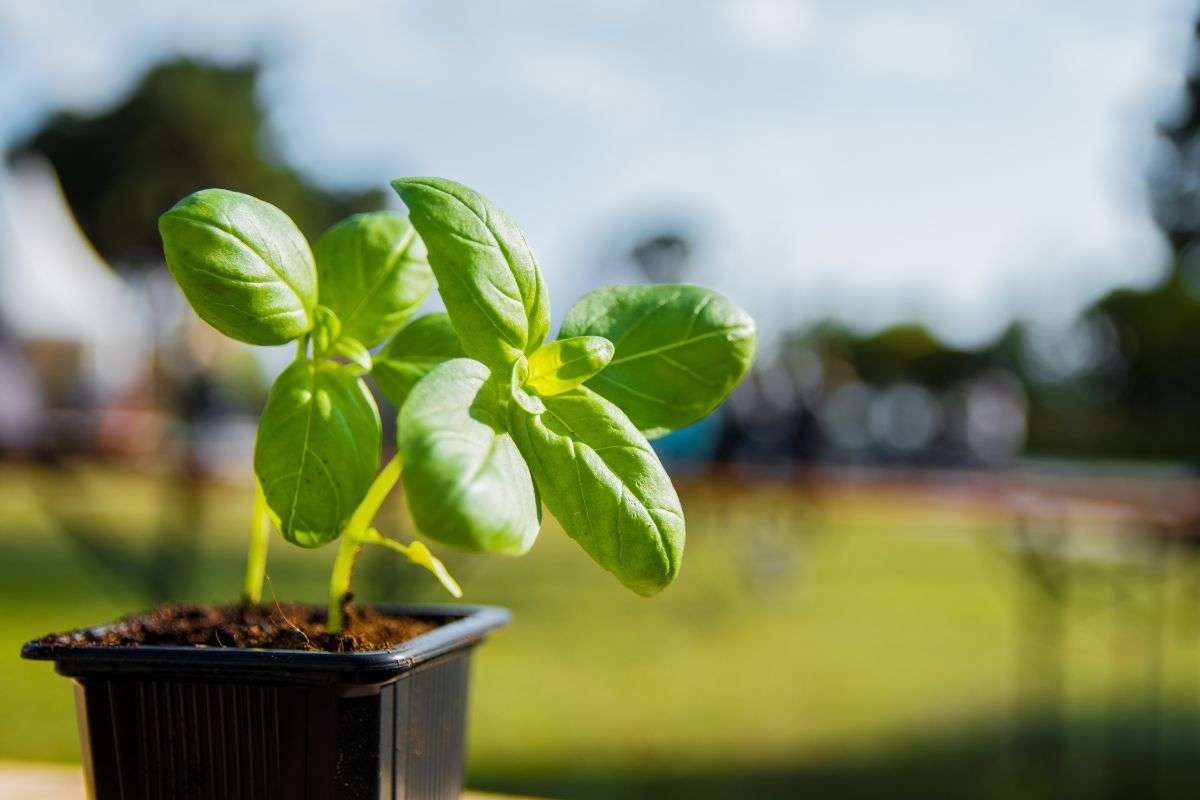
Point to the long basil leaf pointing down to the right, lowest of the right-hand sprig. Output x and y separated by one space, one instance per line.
604 484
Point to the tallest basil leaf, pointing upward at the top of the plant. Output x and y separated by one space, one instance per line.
488 275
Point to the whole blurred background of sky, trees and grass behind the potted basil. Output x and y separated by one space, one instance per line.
943 543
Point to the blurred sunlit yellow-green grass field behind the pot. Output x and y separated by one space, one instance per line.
853 642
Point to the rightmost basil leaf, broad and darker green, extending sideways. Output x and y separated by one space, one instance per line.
680 351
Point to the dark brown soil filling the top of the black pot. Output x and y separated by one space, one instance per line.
279 627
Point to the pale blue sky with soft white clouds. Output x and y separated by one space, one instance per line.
953 163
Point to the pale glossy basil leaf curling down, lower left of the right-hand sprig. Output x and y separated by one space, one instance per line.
465 480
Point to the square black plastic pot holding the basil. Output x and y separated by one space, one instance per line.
179 724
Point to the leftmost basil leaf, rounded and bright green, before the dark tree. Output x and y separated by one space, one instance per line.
243 266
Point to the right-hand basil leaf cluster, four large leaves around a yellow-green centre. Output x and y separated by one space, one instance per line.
485 438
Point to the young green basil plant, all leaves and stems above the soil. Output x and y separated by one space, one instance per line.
495 422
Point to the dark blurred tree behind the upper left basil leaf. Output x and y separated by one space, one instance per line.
189 125
